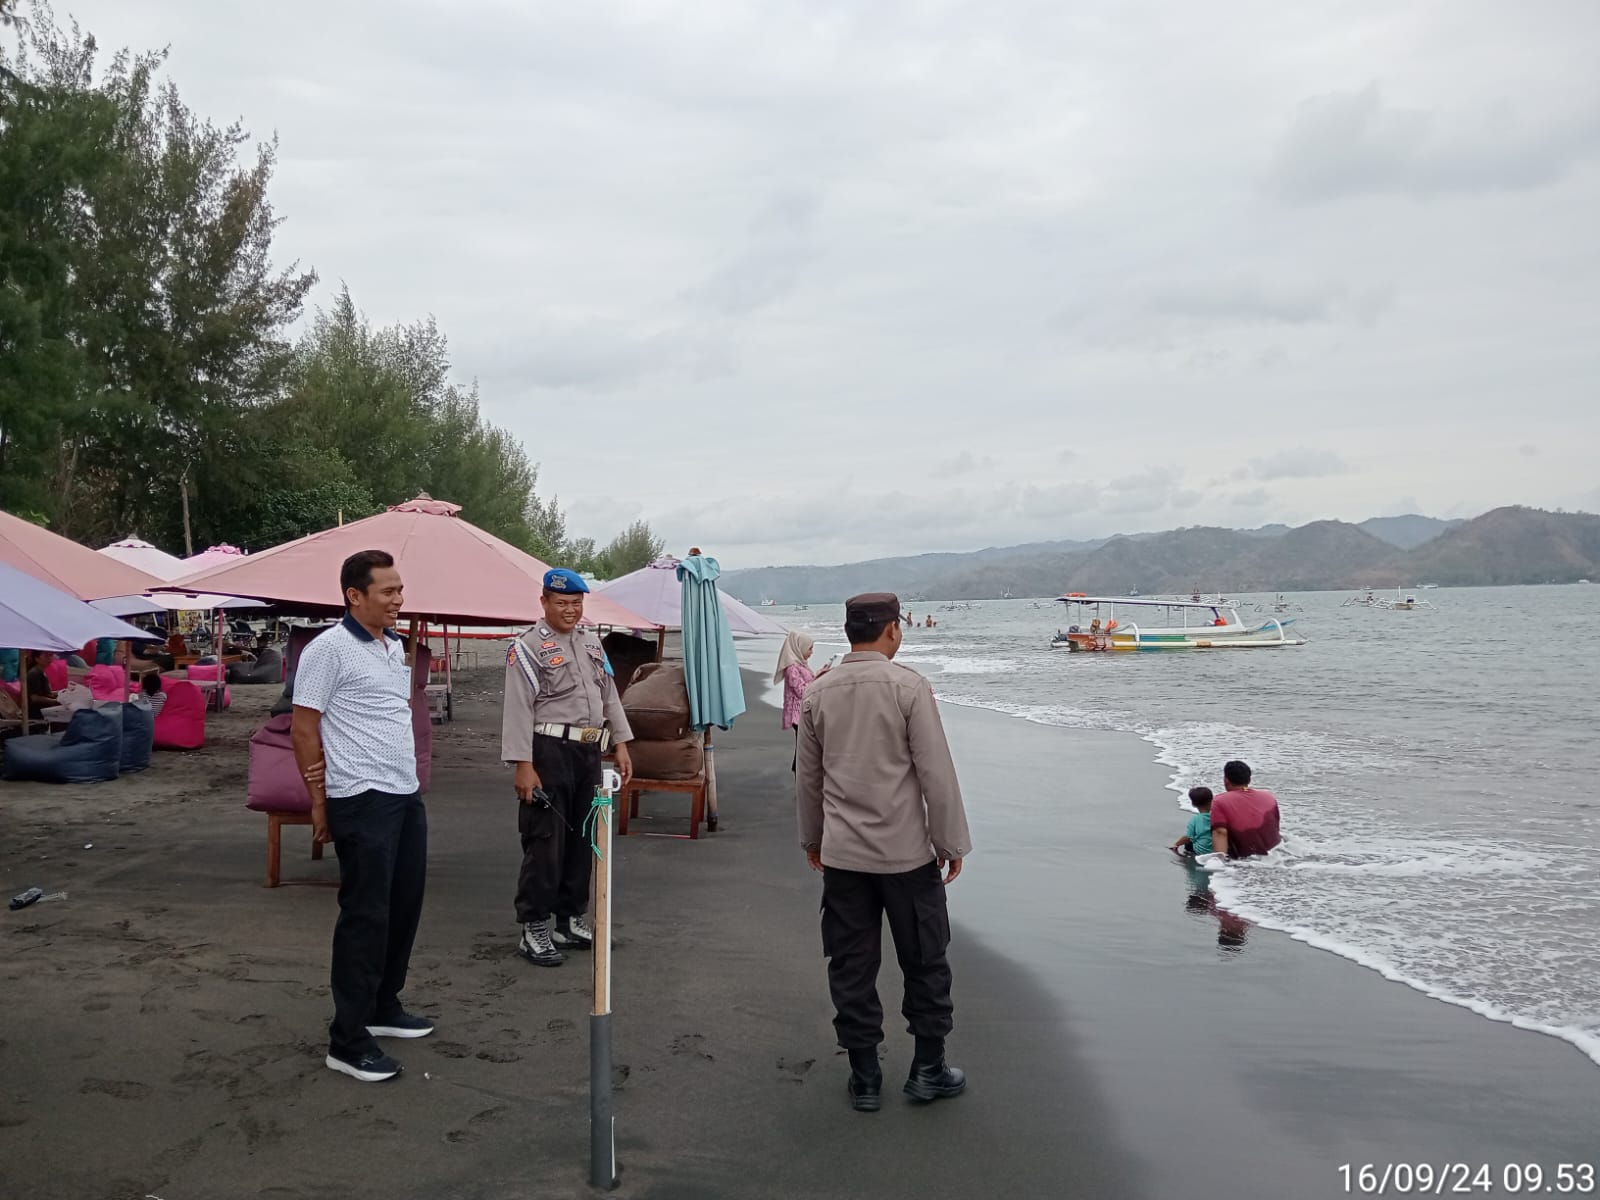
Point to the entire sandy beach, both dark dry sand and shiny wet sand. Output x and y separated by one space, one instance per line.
166 1025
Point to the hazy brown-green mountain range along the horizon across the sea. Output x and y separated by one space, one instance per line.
1505 546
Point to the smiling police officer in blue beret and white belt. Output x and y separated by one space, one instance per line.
561 697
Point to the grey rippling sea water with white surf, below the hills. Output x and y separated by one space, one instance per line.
1434 770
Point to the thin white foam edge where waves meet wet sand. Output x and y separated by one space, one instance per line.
1585 1044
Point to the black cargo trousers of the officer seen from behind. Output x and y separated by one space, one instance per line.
854 908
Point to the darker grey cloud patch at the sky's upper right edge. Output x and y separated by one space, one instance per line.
1353 143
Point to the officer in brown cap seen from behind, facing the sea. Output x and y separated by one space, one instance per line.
881 817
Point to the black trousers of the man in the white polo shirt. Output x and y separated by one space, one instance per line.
382 841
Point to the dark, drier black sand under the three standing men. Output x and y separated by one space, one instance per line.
166 1025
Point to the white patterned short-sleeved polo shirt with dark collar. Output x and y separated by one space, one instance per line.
362 689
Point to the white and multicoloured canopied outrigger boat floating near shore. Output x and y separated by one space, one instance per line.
1164 625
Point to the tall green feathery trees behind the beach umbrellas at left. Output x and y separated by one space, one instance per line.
151 377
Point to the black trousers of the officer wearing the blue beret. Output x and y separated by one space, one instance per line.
556 855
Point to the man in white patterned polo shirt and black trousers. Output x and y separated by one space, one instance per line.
356 750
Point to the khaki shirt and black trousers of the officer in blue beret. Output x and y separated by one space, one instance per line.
562 711
